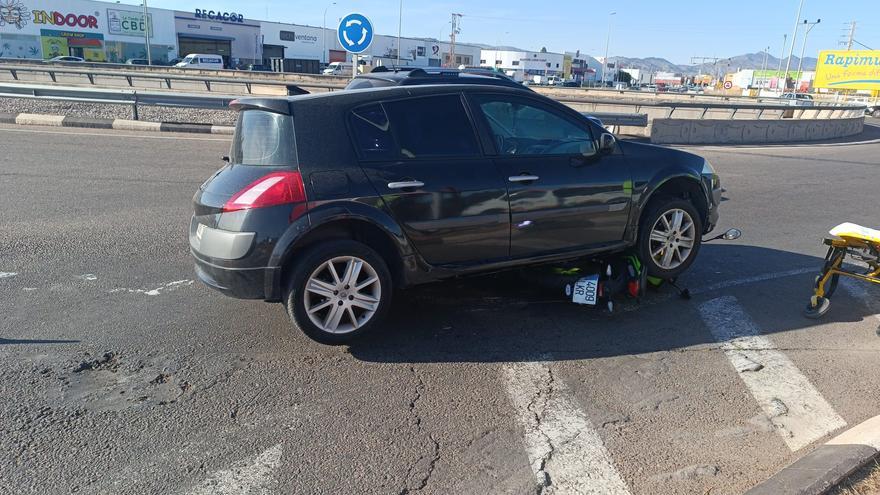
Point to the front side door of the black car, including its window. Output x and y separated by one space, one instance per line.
564 194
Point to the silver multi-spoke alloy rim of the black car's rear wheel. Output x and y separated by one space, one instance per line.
342 294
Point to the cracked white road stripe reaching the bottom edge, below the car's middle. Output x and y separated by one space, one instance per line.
565 452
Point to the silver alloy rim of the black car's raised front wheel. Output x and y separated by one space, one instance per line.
672 239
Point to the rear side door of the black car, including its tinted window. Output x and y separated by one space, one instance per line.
423 158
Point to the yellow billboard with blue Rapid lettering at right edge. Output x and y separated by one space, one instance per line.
848 69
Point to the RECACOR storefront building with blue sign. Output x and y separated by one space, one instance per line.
226 34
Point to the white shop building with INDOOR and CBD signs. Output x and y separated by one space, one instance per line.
95 31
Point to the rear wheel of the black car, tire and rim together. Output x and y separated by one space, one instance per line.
324 302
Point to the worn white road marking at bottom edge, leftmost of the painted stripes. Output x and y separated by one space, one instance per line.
254 477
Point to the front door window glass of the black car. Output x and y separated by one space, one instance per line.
520 127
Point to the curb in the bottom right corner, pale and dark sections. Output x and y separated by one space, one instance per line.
828 465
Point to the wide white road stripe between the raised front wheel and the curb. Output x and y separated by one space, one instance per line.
797 410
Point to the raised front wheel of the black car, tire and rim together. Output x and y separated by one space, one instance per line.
652 227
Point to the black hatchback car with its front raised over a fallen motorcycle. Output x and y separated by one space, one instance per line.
331 201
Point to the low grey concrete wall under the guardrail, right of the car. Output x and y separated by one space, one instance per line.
683 131
